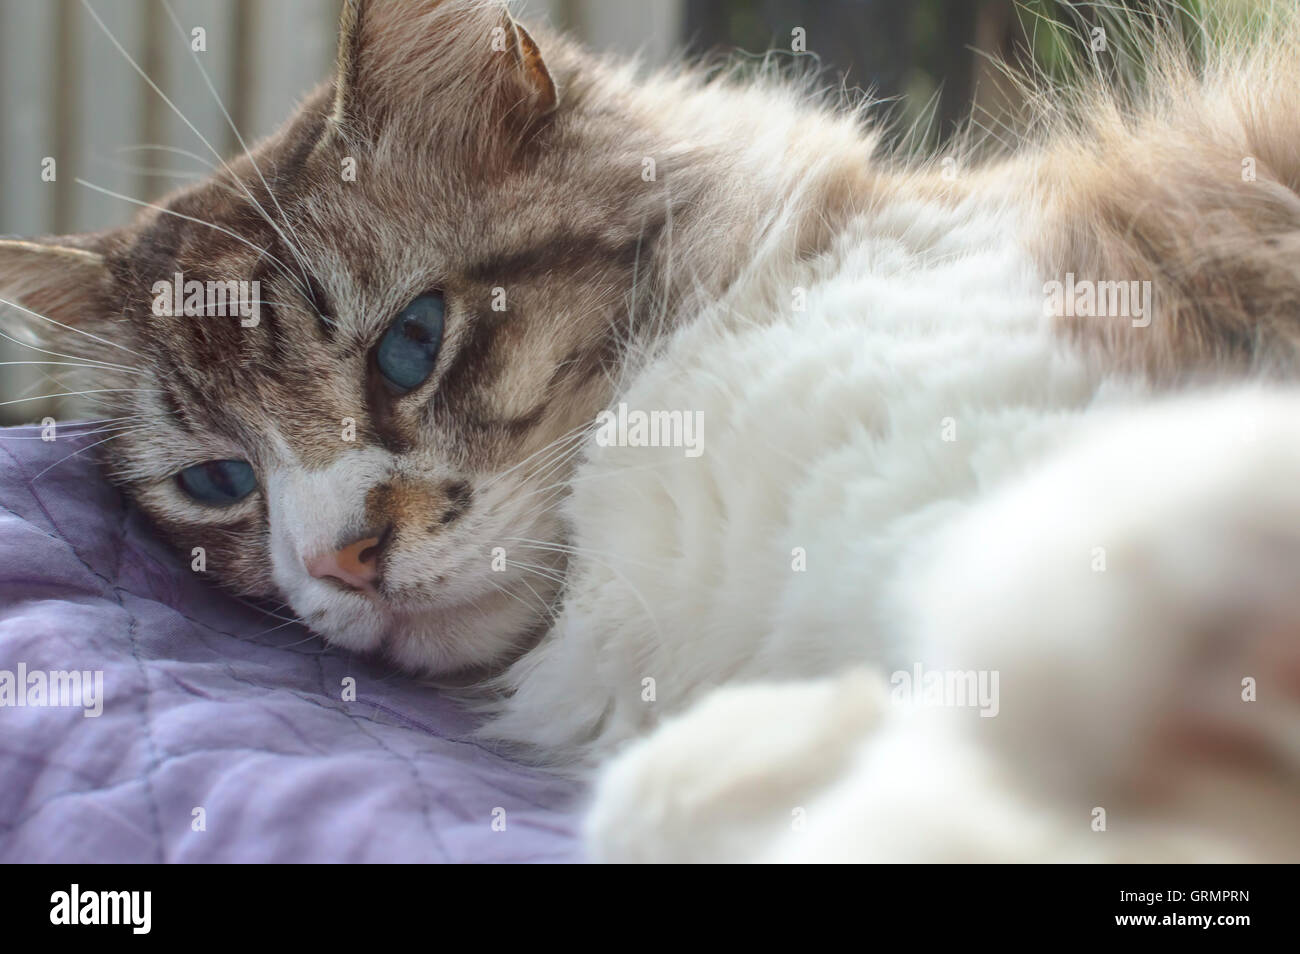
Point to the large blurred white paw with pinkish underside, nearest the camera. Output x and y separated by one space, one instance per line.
1141 600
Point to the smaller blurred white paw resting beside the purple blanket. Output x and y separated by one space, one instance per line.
733 775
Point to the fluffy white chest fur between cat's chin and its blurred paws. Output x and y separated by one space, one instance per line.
847 407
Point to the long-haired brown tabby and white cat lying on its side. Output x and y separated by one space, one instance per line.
684 431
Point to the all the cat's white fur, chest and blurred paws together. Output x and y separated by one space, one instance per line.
825 431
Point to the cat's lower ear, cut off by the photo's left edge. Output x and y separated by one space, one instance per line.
49 287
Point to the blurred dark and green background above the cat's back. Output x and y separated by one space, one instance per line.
935 57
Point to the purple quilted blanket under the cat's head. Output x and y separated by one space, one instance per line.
224 735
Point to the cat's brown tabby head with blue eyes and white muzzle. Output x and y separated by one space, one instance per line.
444 272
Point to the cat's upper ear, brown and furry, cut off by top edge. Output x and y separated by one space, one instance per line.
460 70
